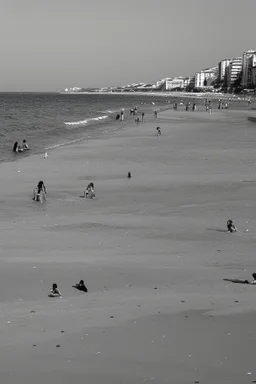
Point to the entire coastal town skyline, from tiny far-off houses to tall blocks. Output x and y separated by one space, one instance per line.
237 75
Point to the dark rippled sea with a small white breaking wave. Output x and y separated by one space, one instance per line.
51 120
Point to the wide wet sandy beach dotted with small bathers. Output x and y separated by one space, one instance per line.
153 252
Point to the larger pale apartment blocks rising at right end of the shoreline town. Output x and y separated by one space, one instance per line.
229 73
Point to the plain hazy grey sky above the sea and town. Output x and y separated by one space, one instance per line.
47 45
